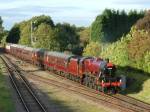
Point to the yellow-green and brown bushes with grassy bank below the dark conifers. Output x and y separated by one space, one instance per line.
131 54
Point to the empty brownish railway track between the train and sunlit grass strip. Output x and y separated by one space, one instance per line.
118 102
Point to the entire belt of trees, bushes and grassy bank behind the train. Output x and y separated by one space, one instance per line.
123 37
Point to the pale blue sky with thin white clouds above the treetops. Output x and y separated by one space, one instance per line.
78 12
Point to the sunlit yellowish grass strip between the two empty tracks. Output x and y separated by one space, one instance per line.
64 101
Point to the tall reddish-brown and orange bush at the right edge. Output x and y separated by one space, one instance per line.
139 47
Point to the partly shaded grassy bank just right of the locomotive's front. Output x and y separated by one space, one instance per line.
139 86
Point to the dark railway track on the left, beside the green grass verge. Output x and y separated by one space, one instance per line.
25 92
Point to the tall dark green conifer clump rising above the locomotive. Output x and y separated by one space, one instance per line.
111 25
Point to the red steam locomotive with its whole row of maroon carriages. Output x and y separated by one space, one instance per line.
90 71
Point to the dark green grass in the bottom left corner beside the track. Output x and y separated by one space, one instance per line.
6 104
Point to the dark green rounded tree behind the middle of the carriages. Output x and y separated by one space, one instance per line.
67 36
